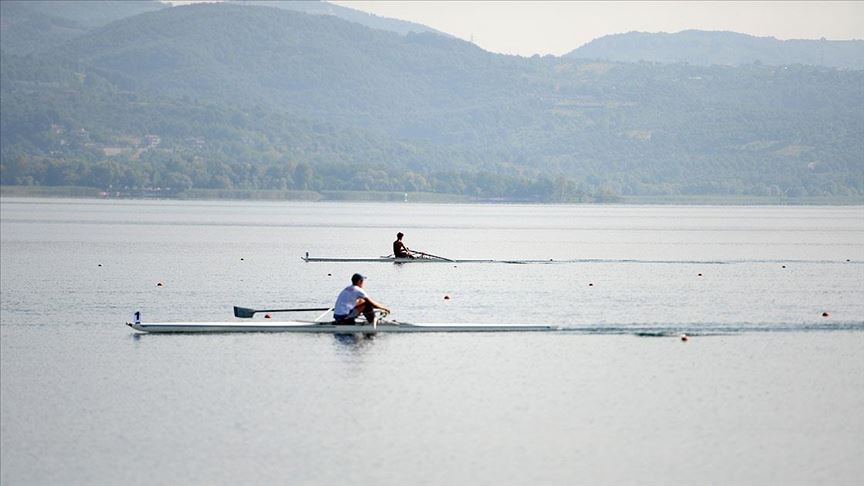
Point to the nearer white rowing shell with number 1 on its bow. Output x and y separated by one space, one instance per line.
324 327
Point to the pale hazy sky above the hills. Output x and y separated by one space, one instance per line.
549 27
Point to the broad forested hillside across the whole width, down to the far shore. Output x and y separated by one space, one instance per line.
235 96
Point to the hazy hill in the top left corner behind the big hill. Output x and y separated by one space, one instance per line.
28 26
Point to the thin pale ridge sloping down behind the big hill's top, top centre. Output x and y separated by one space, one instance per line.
317 7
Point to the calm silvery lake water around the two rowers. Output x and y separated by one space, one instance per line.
767 390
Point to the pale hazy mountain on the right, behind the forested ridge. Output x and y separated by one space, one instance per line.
703 48
